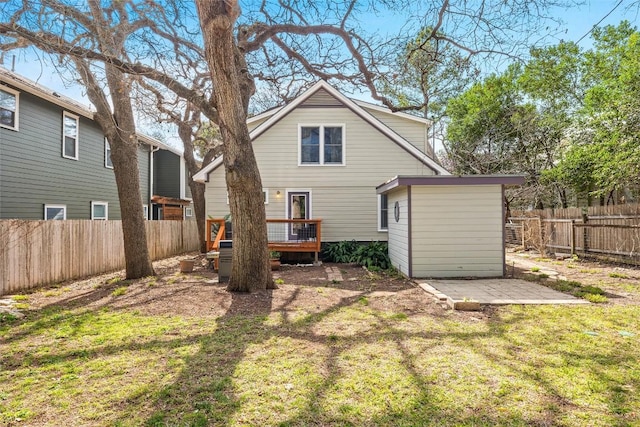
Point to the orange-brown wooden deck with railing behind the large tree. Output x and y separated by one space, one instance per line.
285 235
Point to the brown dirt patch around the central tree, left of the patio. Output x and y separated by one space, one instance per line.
308 288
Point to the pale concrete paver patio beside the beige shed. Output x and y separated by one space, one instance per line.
496 291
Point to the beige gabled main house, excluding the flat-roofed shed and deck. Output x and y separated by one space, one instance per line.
322 156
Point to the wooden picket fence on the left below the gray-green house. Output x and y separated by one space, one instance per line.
34 253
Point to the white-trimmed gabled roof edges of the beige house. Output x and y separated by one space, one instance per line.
355 106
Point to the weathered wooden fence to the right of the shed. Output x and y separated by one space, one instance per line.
611 231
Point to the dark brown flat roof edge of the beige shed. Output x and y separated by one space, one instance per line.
404 181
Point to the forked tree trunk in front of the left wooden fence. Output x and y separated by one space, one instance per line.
119 128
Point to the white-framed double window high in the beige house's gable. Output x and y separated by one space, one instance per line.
321 145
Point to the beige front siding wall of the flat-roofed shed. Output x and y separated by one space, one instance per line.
457 231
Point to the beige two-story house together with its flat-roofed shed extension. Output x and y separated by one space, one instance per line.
369 174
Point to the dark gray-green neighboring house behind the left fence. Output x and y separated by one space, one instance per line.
55 161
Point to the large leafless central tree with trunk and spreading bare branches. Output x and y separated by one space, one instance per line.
298 40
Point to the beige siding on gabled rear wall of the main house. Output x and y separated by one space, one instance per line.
344 197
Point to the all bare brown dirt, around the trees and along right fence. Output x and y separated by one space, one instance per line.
309 288
